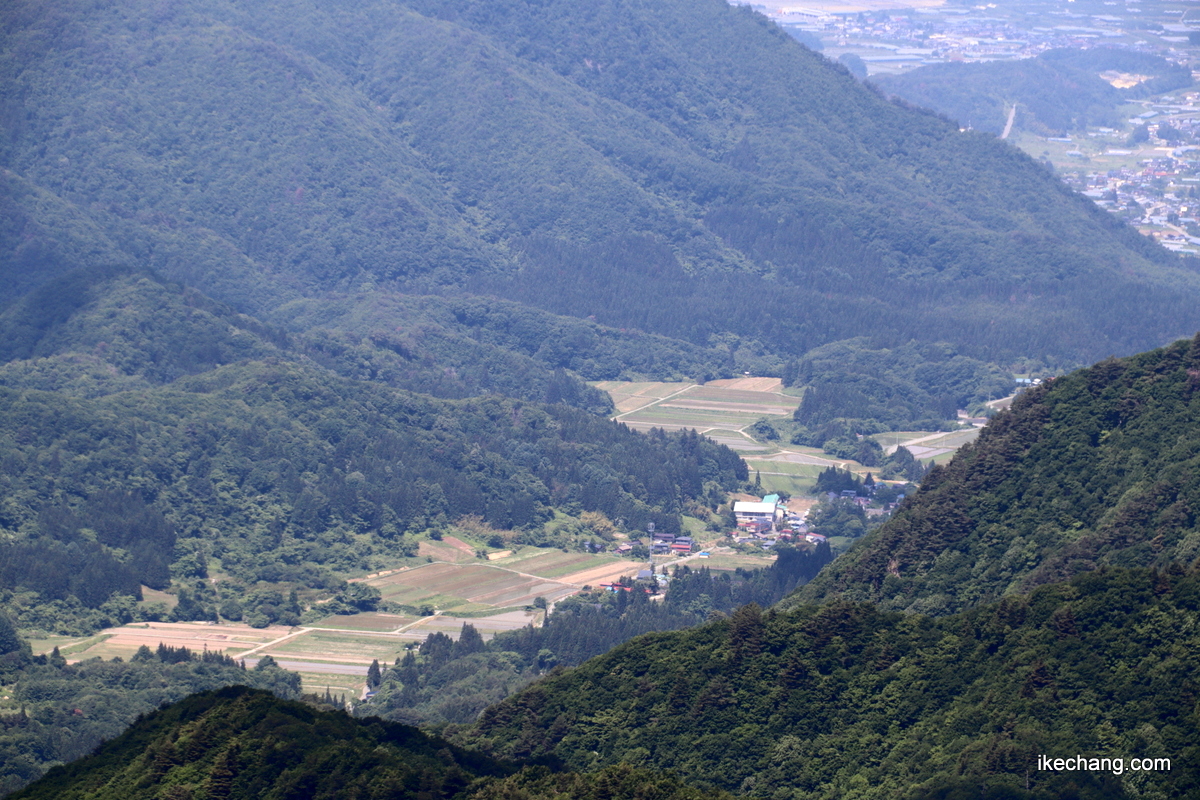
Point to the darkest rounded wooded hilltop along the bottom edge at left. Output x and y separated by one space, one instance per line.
247 745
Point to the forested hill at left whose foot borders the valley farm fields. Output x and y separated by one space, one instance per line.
285 472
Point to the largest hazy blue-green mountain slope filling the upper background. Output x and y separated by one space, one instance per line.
625 160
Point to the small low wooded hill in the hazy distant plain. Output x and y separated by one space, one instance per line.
1057 93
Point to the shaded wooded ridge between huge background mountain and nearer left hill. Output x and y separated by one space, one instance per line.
98 332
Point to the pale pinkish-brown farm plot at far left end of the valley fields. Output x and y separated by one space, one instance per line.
231 640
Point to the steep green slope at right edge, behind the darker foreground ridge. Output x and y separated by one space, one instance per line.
1099 467
